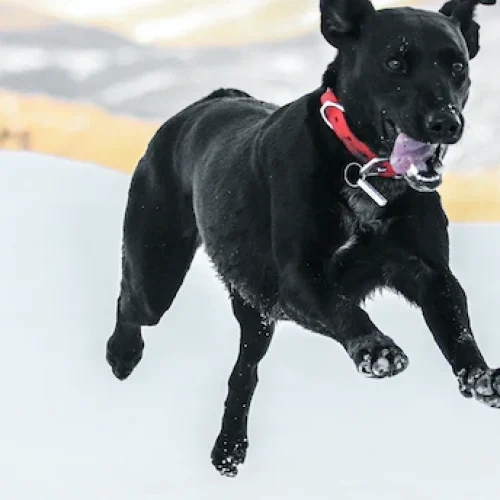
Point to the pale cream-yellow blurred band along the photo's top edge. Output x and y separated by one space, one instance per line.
181 22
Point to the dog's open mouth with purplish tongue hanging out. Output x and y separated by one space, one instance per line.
419 163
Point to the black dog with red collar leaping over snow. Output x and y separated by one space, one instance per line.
269 194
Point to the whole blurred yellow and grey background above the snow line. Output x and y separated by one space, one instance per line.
93 80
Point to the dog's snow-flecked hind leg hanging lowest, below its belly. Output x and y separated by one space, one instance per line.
256 335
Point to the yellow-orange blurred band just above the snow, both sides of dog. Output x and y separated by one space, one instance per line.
86 132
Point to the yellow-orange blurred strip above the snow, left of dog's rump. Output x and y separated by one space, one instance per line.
73 130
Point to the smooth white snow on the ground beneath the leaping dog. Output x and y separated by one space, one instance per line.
318 429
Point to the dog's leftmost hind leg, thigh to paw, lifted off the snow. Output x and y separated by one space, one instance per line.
159 242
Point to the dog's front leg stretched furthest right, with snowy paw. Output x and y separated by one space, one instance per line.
444 305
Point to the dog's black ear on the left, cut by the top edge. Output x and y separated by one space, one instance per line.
341 20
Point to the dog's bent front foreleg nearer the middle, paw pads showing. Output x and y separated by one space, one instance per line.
308 299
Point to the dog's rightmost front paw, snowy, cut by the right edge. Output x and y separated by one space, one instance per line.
481 384
